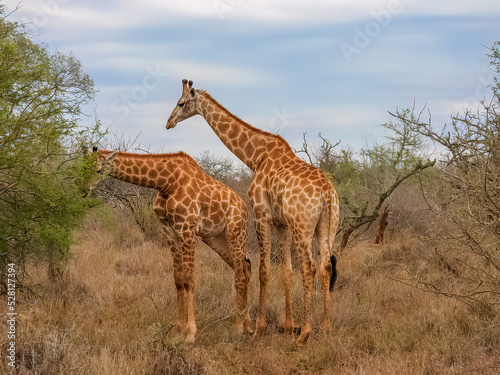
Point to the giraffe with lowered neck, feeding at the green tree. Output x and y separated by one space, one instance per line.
189 203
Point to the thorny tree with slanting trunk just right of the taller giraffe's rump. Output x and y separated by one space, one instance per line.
365 181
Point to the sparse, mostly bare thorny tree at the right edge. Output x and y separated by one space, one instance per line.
470 209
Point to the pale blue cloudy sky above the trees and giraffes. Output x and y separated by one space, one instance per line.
289 67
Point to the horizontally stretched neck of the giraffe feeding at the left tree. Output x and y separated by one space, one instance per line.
150 171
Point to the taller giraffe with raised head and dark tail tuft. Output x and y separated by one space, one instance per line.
295 197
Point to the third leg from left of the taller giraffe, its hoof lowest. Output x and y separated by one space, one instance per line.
307 269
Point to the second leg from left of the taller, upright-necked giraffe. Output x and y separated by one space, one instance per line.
286 274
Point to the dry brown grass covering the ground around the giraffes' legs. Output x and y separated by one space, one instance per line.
111 314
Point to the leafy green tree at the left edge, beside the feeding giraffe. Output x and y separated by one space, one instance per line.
42 178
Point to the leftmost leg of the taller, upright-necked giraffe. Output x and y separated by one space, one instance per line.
263 228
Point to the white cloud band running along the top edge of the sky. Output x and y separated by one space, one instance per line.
95 16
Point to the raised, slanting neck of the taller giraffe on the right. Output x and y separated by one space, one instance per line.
249 144
